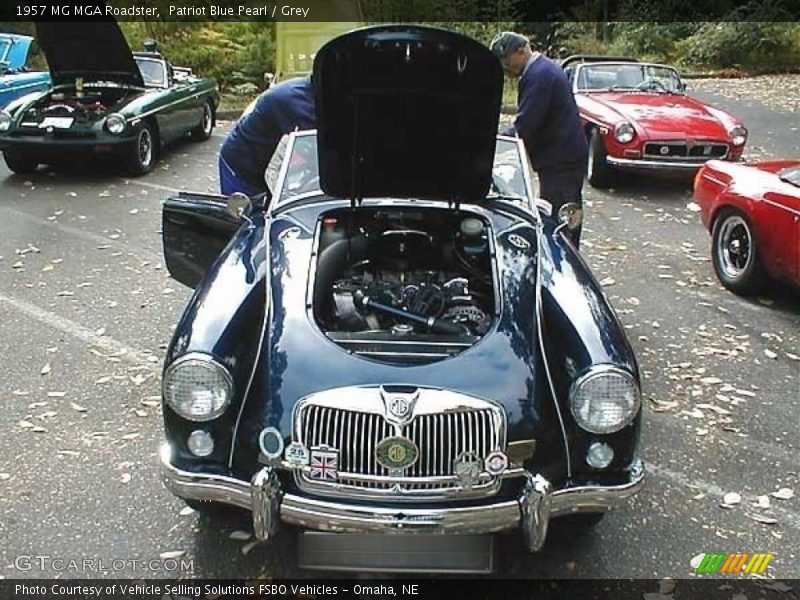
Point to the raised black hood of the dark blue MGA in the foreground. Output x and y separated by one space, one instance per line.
406 112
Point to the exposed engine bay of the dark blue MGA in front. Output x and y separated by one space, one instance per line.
404 276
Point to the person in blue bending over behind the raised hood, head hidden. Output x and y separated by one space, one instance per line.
248 148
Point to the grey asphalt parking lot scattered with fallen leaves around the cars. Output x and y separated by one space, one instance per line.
87 308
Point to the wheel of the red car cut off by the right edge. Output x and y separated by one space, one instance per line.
735 253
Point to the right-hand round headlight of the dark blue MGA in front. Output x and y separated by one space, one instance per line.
604 400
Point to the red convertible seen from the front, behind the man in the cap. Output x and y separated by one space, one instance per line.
637 116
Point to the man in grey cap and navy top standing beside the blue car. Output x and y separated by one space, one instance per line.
547 121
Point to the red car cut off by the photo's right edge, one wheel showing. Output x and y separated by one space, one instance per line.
753 213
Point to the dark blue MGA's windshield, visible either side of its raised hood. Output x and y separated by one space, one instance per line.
302 173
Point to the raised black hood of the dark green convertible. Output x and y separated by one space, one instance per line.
96 51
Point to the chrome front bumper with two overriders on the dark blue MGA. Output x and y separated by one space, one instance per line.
532 511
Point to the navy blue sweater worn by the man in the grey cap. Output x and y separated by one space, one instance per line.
547 118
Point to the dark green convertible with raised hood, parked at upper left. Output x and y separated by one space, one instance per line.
105 100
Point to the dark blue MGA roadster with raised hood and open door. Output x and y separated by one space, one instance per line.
403 339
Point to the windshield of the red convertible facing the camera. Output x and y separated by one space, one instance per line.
650 78
